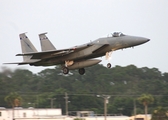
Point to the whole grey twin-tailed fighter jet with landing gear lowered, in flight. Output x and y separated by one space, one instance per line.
77 57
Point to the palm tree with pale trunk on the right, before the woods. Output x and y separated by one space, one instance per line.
146 99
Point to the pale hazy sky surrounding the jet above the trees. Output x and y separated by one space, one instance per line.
75 22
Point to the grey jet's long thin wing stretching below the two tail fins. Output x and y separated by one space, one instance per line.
53 53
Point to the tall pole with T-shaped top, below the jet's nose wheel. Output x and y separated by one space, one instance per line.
105 97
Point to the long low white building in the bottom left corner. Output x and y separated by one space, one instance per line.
20 113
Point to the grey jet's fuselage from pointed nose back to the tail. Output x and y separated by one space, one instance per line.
96 48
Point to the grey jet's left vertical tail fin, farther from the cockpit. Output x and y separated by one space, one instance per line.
26 46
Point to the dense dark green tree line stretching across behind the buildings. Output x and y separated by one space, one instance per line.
125 85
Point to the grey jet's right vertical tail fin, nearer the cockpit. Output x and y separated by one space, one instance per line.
45 43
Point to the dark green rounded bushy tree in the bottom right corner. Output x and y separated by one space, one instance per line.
160 114
